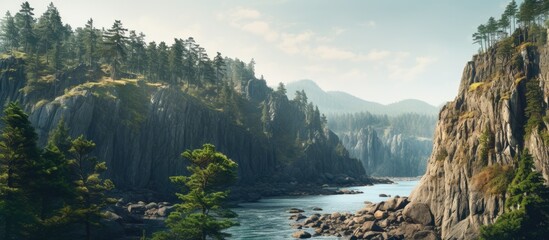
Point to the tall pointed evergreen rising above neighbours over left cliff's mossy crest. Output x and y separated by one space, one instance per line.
115 47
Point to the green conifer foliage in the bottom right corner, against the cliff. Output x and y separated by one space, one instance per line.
526 209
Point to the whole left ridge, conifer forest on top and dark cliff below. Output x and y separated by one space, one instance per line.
143 103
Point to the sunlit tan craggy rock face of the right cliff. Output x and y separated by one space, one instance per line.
490 104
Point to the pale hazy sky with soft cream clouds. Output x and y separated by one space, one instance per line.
378 50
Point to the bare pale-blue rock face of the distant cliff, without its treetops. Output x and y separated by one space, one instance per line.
388 153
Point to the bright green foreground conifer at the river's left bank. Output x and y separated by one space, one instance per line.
201 214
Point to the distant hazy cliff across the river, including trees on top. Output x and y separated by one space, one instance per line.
395 146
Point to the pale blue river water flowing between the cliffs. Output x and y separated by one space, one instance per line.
268 218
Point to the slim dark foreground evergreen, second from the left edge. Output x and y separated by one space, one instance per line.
90 188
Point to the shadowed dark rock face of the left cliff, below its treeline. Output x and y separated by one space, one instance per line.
141 129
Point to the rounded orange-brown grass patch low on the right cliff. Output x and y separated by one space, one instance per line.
493 179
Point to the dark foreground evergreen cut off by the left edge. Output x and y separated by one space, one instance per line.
19 157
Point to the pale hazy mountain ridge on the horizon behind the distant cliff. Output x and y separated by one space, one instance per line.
334 102
